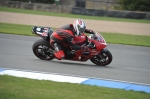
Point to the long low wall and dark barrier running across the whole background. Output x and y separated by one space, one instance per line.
75 10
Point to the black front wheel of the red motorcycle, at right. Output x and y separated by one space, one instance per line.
102 59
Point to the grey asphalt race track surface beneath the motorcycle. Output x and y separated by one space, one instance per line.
130 63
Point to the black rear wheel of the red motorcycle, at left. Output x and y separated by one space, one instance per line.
41 48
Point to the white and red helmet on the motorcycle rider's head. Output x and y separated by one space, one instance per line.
79 27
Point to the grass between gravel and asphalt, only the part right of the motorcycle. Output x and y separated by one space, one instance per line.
127 39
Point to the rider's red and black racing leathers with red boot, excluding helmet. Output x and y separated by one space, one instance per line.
64 34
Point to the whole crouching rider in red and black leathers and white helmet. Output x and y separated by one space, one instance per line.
66 34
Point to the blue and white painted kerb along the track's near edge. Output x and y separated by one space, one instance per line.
75 79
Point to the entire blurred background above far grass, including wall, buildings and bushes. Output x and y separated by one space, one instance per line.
137 9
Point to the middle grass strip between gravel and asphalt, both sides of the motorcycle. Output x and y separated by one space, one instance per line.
109 37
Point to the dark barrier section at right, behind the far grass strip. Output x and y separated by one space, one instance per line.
112 13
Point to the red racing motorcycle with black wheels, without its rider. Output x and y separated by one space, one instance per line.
97 51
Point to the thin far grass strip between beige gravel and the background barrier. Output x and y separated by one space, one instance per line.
6 9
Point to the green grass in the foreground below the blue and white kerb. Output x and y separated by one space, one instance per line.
23 88
